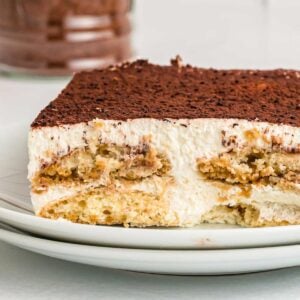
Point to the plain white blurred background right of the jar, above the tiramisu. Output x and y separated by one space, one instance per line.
220 33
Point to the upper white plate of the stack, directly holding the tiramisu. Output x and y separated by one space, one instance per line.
14 187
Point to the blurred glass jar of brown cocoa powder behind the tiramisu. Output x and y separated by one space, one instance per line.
58 37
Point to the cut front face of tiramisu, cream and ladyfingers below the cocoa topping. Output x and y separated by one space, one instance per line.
179 164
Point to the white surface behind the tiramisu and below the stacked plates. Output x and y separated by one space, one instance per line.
217 33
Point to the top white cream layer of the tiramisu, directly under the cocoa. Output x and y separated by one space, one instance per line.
182 141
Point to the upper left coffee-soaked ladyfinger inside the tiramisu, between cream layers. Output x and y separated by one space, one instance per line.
107 162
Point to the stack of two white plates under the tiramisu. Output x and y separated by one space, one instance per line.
207 249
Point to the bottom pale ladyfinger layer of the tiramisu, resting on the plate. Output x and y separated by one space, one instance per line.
141 209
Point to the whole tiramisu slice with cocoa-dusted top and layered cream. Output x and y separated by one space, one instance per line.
148 145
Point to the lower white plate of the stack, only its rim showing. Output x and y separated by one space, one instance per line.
185 262
